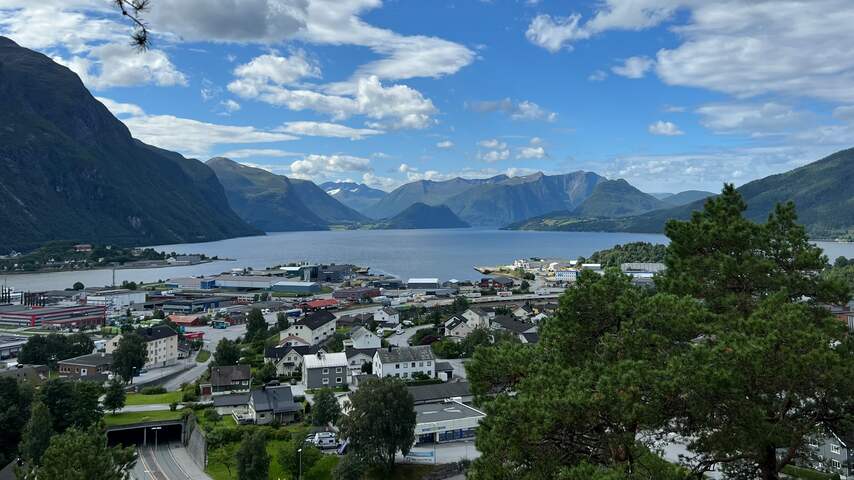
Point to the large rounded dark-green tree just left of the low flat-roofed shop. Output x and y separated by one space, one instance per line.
381 422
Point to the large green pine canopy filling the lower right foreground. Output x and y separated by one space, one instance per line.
734 350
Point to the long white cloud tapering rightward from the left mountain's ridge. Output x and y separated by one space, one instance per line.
187 136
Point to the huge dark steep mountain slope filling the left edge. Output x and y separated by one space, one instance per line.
72 171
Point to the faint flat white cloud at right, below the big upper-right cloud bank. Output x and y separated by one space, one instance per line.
755 119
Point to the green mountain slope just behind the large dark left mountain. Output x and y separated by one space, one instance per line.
267 201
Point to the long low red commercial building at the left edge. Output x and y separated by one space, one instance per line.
77 316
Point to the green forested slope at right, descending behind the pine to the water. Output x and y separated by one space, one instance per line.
820 190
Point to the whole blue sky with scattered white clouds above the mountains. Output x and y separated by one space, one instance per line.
669 94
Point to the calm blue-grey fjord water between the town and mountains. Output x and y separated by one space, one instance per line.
444 254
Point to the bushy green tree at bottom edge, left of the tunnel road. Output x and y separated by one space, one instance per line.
84 455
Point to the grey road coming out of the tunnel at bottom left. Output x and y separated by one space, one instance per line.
167 462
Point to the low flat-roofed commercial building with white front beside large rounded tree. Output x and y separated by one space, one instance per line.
445 421
